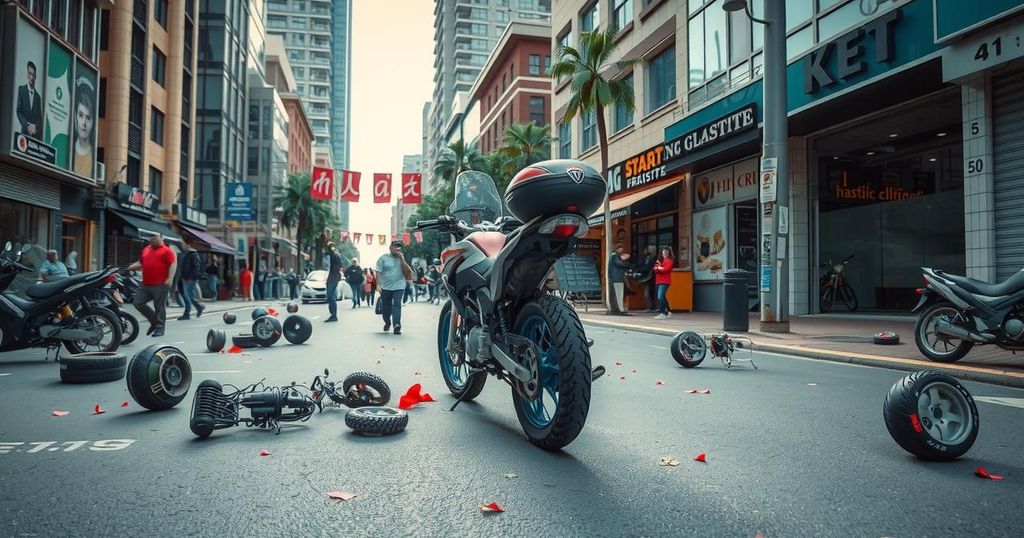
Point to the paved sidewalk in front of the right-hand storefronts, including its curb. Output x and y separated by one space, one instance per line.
835 338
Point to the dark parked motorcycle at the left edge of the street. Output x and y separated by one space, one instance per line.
46 318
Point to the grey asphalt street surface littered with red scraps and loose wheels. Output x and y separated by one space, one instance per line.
798 448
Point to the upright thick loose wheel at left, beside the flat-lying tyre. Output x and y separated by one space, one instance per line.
159 378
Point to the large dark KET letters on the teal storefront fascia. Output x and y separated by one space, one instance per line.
849 51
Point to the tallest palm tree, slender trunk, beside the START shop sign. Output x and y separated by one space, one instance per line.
591 93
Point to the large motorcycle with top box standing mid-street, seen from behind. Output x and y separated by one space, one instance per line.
498 320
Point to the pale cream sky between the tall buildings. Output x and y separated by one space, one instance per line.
393 77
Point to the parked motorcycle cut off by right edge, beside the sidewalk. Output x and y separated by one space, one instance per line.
959 313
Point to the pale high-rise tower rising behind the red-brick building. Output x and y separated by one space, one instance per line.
465 33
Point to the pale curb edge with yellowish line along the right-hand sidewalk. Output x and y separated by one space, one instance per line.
970 374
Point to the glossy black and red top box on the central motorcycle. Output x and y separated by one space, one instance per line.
553 188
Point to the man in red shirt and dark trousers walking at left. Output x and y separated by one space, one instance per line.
159 264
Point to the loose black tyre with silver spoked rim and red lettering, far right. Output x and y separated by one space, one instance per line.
931 416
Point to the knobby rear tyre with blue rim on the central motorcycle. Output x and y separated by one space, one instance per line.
557 417
